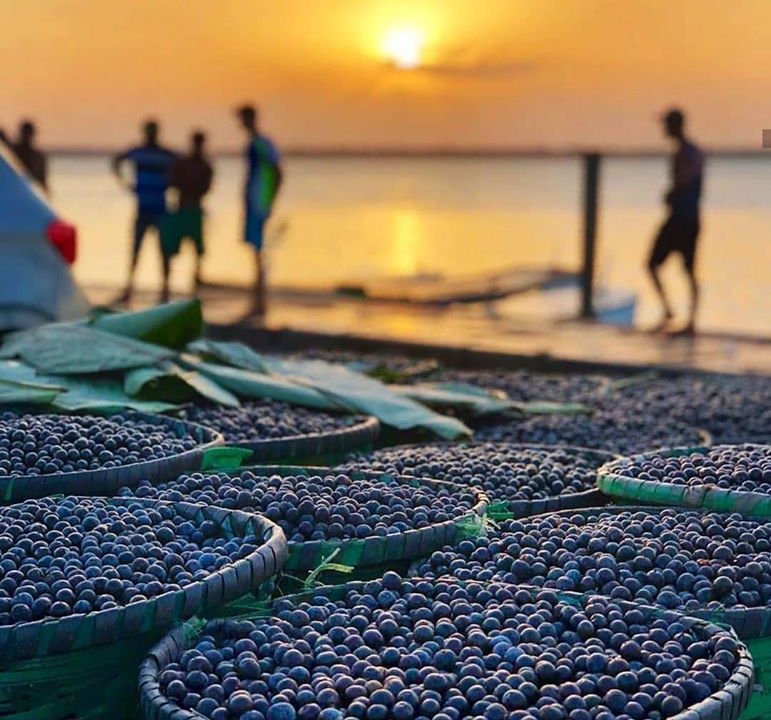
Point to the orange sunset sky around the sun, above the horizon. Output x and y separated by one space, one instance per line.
502 72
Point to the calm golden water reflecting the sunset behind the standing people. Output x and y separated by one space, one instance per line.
348 219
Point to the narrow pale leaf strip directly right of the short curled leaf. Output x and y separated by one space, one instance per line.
246 383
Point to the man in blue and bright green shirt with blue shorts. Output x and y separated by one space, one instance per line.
263 180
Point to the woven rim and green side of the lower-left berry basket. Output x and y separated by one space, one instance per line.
81 666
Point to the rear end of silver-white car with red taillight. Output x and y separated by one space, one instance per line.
36 251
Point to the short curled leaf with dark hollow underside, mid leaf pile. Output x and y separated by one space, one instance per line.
171 383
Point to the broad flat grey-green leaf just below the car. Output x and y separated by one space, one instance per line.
75 349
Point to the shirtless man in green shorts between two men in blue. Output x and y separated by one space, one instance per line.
191 176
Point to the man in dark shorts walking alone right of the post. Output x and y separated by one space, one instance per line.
680 231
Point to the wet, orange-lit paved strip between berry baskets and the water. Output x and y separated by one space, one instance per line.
469 336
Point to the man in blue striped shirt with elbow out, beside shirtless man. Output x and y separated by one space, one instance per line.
152 165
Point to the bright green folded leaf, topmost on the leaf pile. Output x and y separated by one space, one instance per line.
172 325
